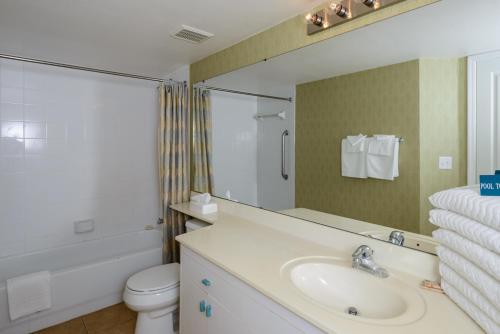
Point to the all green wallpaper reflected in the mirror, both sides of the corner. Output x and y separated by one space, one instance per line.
423 101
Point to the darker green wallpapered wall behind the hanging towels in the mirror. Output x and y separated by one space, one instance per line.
378 101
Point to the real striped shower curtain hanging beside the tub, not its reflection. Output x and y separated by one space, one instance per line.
173 145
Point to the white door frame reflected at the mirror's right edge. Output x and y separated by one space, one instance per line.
472 112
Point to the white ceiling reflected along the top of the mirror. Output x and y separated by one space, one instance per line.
450 28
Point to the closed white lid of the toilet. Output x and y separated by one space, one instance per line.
155 278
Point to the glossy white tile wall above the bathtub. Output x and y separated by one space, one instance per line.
73 146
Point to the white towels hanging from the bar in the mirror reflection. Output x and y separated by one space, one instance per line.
375 157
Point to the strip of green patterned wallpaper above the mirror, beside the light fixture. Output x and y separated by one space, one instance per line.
285 37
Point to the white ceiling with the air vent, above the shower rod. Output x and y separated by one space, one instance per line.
133 35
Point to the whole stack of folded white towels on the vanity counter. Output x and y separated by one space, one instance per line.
469 233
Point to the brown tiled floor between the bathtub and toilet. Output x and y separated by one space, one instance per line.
116 319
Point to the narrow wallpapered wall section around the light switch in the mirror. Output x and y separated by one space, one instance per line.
443 128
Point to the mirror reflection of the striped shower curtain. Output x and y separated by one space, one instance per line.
202 141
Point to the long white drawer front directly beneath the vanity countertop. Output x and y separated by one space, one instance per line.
227 291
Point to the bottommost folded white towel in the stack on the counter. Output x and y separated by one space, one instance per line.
473 311
